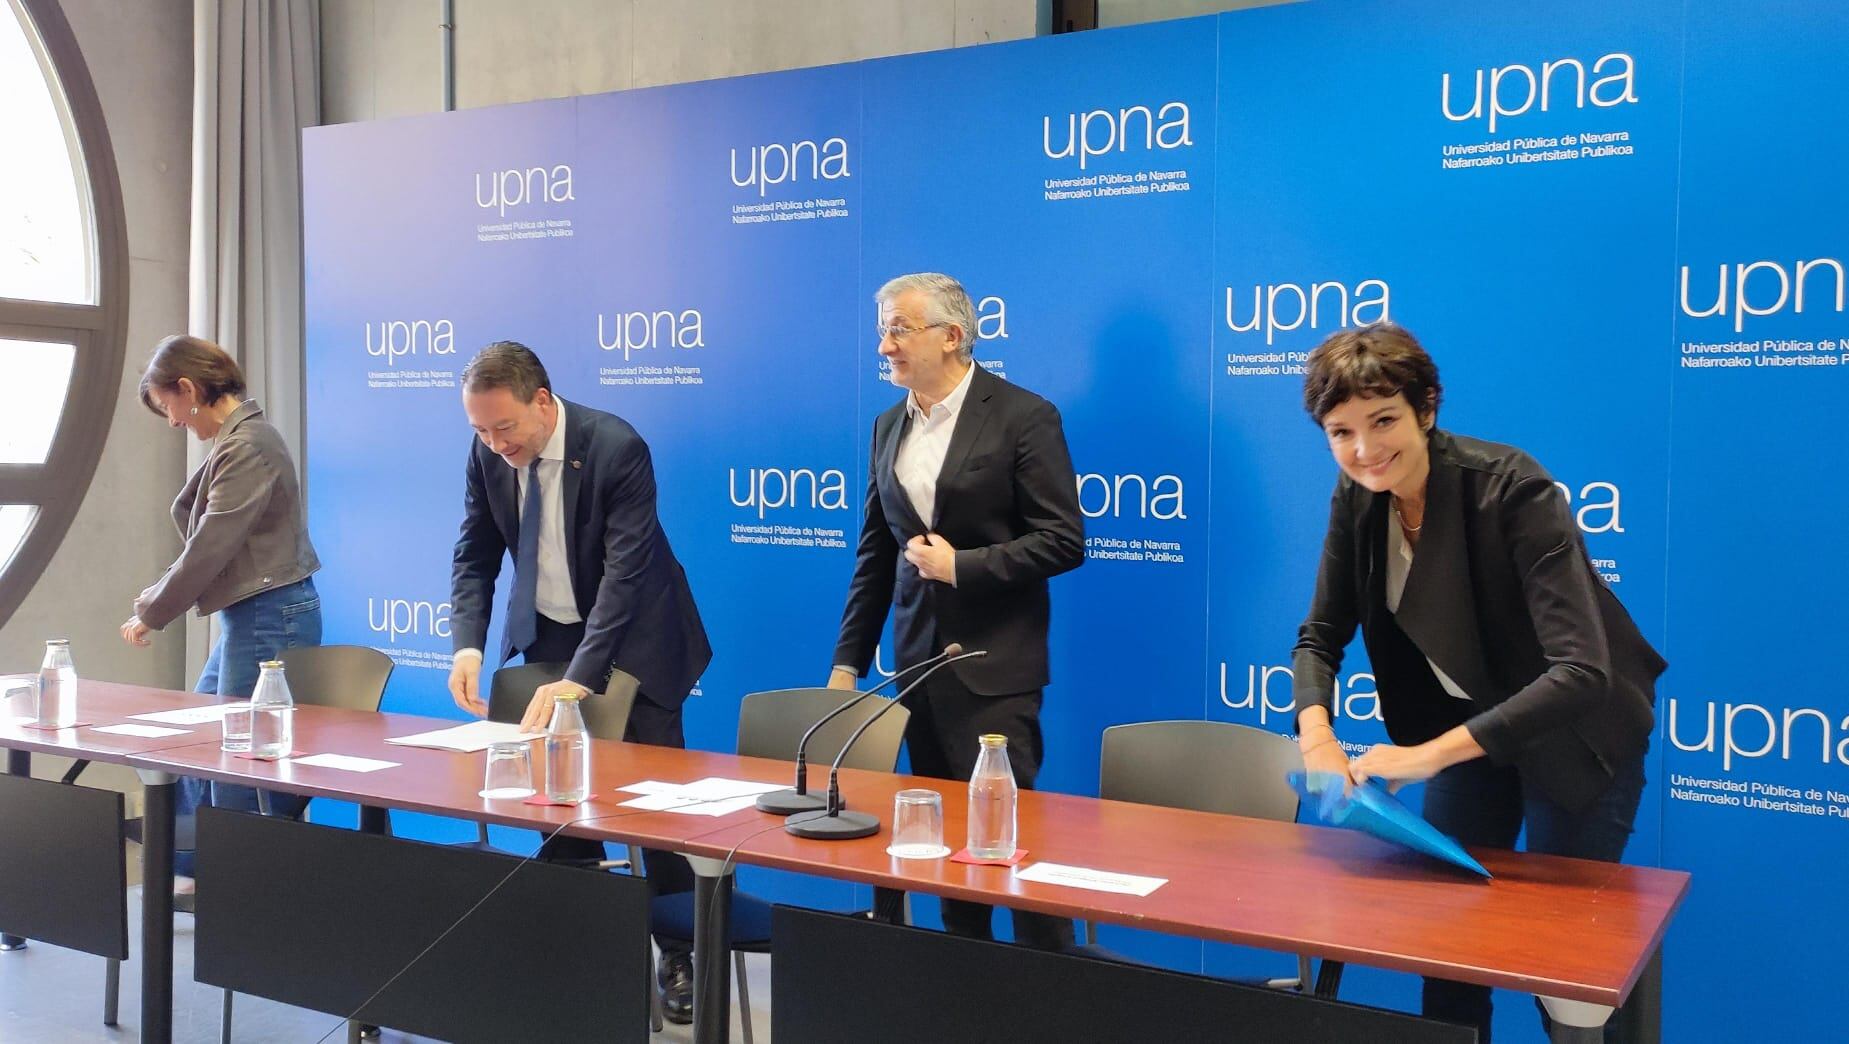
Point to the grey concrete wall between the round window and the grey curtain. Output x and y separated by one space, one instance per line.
141 60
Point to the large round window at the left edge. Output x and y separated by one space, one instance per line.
64 289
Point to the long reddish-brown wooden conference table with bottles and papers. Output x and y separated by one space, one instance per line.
1560 929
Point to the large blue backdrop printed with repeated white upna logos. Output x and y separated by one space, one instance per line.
1619 230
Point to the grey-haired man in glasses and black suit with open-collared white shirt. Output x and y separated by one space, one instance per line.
972 509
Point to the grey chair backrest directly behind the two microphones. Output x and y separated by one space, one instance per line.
770 725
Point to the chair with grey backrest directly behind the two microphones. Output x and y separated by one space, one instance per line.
770 725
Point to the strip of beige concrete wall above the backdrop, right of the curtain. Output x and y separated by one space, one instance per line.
384 58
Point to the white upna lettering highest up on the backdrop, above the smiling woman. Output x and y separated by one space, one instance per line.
1508 91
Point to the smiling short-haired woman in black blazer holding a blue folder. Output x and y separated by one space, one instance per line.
1510 675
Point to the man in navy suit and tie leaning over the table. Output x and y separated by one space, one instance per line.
596 581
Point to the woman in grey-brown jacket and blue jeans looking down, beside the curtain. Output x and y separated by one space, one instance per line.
247 550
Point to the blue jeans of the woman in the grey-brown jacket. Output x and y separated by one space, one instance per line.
251 633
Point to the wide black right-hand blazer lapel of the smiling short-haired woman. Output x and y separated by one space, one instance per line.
1439 609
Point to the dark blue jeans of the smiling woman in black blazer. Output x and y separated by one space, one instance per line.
1486 805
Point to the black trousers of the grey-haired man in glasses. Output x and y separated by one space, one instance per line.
942 738
